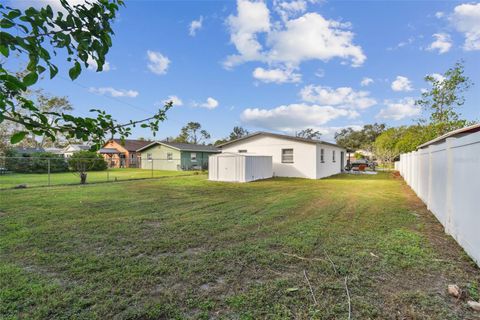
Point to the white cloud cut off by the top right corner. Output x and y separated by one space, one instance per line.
466 19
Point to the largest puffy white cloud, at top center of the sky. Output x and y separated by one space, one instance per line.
289 42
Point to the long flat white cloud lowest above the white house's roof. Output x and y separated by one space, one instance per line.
293 117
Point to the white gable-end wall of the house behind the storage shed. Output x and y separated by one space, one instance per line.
304 155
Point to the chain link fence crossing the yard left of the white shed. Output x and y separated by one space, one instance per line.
26 172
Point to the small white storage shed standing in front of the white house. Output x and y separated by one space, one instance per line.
239 167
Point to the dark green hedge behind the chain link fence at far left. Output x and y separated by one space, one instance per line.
35 162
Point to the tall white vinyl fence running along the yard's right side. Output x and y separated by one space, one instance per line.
446 176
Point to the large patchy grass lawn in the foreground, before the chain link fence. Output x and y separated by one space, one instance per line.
184 247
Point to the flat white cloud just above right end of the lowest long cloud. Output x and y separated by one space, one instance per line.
344 97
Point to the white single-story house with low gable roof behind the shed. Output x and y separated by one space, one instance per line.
292 156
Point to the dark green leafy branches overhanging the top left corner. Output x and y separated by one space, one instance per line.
82 32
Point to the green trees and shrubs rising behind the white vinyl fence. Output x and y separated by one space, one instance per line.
440 114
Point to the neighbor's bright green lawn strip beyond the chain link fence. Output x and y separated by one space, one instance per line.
34 179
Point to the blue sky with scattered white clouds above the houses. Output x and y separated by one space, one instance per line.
279 66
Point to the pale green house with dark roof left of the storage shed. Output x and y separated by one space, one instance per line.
164 155
